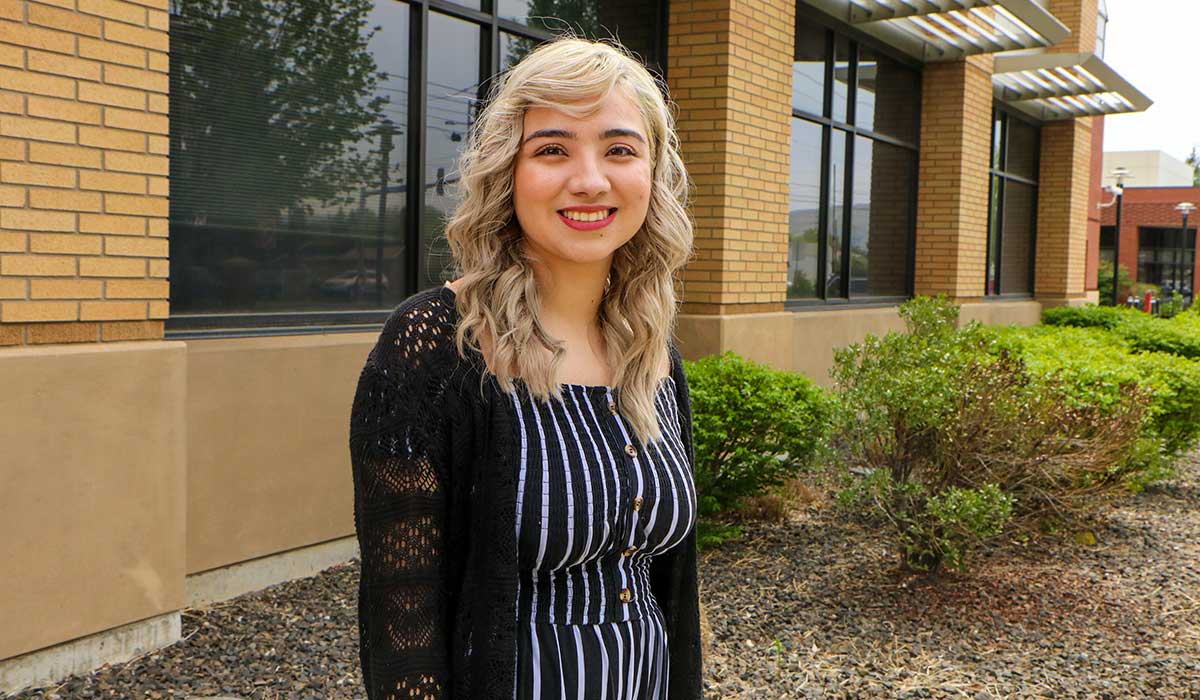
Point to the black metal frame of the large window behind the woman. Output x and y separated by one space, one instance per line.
248 325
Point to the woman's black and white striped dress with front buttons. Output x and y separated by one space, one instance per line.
595 506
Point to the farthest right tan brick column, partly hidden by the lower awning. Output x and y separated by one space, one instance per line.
1065 180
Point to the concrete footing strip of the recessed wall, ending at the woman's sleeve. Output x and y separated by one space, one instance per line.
244 578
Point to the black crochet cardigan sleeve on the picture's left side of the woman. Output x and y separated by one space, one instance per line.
399 453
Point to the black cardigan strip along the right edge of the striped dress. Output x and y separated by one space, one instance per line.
674 576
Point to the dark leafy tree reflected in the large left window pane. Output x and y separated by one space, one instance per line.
269 104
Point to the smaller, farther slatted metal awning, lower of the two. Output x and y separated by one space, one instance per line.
1053 87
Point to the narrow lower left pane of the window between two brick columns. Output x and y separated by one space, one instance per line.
805 211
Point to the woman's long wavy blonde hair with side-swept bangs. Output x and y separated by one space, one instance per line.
499 295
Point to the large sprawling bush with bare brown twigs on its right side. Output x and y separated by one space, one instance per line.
951 440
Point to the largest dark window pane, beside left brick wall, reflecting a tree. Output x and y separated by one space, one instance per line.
277 158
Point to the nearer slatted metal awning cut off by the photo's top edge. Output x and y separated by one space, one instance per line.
944 31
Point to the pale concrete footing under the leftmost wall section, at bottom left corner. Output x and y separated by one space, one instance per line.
83 656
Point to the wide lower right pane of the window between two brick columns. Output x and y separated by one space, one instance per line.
881 220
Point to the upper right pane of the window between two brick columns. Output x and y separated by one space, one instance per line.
889 99
